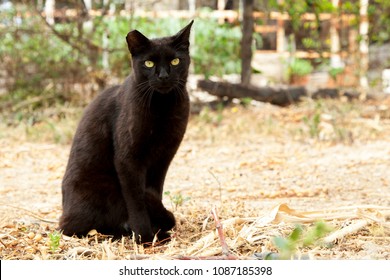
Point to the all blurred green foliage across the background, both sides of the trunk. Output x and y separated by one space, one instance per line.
44 65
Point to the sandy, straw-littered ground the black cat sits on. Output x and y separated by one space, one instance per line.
264 169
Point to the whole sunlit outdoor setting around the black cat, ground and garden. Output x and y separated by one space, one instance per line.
322 149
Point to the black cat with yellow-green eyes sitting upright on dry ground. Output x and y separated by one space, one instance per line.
125 143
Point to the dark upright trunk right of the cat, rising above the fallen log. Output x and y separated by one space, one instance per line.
246 42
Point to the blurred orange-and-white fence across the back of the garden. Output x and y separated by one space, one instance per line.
337 40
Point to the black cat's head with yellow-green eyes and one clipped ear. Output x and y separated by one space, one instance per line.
160 63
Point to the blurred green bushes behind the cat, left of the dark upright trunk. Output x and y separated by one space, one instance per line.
49 64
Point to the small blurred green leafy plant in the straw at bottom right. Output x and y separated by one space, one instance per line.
299 238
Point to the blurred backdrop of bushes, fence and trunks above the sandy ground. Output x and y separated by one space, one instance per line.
58 53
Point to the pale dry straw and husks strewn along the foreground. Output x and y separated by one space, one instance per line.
234 238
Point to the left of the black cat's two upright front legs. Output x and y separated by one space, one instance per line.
132 181
